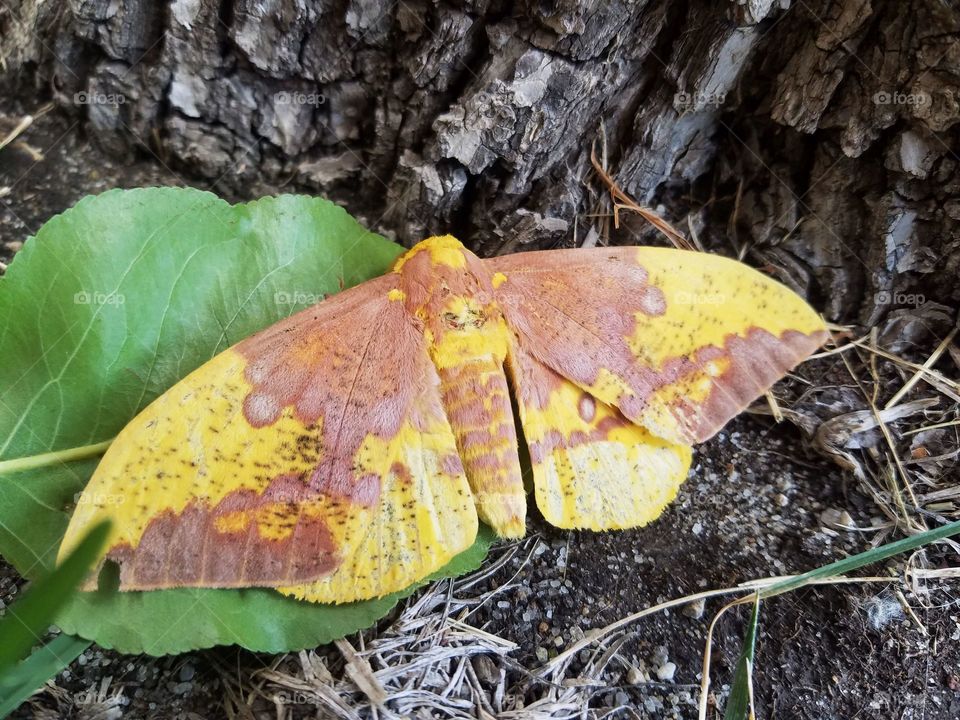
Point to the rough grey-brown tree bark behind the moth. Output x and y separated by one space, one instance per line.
818 136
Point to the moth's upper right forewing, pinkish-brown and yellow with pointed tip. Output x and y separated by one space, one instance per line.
678 341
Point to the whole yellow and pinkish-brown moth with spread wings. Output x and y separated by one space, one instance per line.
349 450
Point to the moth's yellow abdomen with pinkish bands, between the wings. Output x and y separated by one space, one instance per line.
477 401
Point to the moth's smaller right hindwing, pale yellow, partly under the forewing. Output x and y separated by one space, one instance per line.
592 468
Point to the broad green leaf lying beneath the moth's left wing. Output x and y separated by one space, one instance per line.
108 306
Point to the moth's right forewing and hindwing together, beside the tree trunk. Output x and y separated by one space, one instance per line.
623 357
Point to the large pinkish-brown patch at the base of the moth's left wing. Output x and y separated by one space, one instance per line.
356 363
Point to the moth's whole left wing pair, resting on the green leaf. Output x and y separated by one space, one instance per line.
316 449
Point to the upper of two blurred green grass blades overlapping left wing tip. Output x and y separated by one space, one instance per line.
28 618
